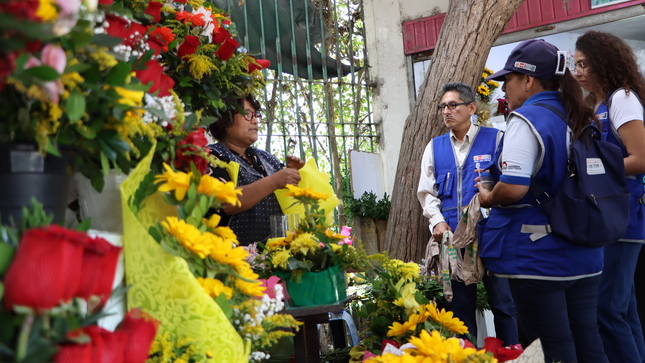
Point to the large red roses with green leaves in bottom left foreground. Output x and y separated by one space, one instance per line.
54 289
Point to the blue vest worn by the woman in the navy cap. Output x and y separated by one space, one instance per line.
504 248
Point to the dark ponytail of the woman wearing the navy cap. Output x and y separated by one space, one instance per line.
572 98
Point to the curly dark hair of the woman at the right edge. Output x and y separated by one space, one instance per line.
612 62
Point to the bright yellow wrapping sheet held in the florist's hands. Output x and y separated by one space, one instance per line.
318 181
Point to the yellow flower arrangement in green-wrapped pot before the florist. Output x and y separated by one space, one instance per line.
312 259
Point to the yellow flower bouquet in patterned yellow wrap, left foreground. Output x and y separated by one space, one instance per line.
204 255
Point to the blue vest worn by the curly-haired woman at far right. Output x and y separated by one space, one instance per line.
636 228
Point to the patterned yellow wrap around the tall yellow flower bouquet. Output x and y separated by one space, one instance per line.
162 285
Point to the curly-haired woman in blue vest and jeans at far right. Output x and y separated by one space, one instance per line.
606 67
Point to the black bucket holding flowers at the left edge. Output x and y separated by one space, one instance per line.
25 173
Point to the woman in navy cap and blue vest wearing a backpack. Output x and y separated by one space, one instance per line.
554 282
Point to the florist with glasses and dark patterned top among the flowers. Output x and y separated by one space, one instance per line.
255 171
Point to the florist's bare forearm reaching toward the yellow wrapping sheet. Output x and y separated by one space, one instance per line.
253 193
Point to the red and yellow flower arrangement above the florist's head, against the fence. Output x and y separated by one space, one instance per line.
198 51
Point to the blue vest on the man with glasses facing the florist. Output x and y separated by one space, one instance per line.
456 184
